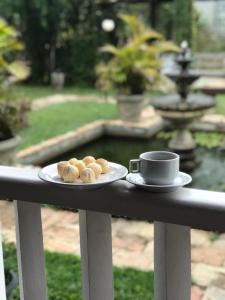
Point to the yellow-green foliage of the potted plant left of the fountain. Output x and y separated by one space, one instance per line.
138 58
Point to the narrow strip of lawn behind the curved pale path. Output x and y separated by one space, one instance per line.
34 92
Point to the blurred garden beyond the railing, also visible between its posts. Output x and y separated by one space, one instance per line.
94 77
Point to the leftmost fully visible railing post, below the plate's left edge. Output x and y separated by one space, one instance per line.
30 252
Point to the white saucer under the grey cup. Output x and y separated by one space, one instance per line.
181 180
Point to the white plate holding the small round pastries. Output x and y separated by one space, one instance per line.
50 174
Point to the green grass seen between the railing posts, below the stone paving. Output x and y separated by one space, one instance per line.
63 278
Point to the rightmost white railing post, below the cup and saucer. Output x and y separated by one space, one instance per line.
172 262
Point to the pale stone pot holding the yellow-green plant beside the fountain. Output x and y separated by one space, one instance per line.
130 107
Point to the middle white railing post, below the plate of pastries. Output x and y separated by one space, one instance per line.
96 255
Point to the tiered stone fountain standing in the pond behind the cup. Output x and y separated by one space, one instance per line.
182 108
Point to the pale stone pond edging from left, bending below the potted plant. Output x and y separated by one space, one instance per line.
61 144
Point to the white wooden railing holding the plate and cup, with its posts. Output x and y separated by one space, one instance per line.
173 214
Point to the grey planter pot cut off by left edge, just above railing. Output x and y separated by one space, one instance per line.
8 150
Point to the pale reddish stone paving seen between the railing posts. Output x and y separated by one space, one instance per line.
132 247
